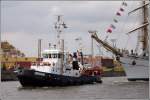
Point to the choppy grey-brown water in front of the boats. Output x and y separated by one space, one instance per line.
111 88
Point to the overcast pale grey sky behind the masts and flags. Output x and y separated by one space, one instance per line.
24 22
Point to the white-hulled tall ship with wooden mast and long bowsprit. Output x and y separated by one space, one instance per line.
136 65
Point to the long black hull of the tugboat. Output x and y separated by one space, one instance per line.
32 78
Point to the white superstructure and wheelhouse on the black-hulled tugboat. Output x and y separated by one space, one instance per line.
51 63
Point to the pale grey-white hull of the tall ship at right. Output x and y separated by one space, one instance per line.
135 71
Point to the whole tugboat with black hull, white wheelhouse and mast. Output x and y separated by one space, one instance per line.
58 68
